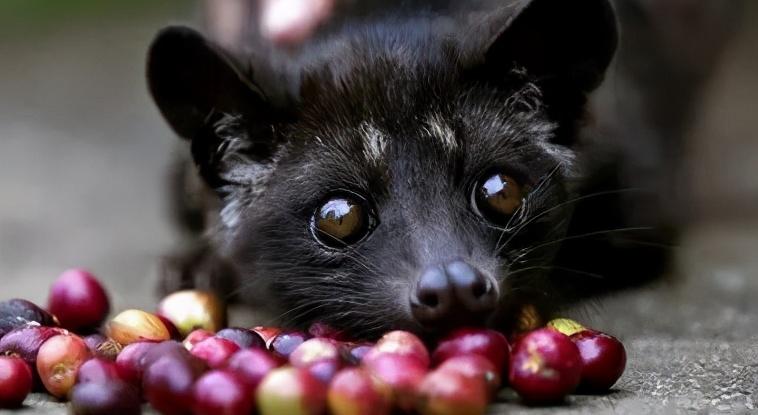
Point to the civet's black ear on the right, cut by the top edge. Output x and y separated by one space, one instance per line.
564 46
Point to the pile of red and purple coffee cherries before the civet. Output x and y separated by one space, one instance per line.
182 360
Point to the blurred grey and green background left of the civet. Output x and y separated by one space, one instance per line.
83 152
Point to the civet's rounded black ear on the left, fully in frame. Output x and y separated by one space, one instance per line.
195 85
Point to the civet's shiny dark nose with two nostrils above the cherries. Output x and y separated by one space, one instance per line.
454 293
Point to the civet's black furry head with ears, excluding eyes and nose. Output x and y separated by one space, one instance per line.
410 113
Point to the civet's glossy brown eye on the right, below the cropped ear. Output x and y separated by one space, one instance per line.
497 197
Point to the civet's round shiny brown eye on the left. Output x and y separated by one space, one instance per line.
342 220
